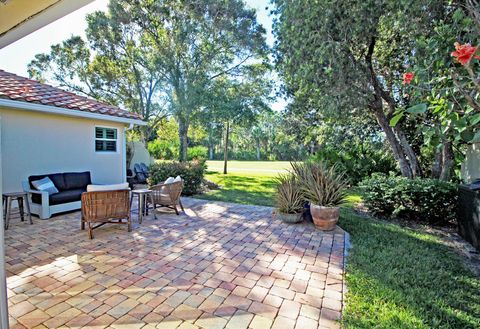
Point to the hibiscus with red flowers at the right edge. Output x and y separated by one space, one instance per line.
444 95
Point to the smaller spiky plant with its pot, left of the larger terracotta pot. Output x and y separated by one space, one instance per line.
289 199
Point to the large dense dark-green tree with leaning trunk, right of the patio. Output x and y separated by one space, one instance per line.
342 57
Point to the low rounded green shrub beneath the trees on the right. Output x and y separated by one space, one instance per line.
423 200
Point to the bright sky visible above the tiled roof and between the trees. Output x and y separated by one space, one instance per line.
15 57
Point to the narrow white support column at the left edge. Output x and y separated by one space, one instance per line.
3 279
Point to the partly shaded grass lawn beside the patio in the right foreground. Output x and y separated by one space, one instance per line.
399 278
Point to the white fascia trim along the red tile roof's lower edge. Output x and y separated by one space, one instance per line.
67 112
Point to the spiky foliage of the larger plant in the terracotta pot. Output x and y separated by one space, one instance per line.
320 184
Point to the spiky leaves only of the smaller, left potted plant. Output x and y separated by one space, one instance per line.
289 198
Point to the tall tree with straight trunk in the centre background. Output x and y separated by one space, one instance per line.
196 42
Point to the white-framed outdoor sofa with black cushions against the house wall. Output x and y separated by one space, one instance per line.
70 187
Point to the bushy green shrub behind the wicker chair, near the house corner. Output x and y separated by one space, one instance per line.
191 173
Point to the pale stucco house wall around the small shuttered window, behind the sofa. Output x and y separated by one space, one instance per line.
41 143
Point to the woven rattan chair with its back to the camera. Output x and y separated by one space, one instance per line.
105 207
